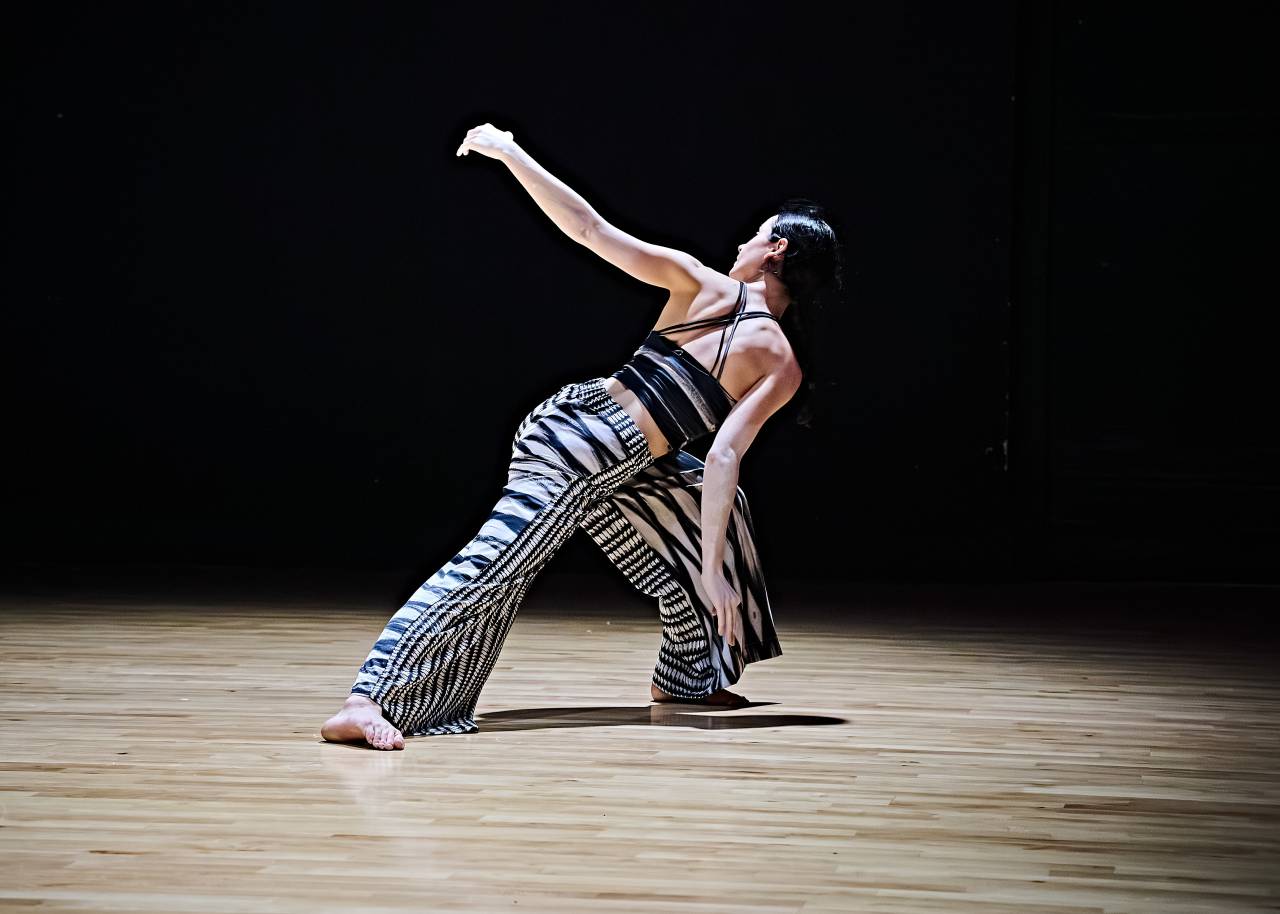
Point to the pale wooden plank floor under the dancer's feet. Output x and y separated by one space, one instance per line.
163 756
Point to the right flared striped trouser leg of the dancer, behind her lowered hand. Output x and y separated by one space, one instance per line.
651 531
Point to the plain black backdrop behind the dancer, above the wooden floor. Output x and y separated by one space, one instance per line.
259 313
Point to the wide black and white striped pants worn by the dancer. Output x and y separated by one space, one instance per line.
578 461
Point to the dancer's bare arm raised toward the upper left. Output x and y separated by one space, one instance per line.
653 264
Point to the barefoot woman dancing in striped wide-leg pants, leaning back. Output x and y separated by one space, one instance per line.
605 455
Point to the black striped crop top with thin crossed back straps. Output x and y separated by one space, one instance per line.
685 400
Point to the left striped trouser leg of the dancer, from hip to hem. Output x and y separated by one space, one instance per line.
427 669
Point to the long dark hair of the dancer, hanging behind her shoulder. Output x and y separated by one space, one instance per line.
813 271
